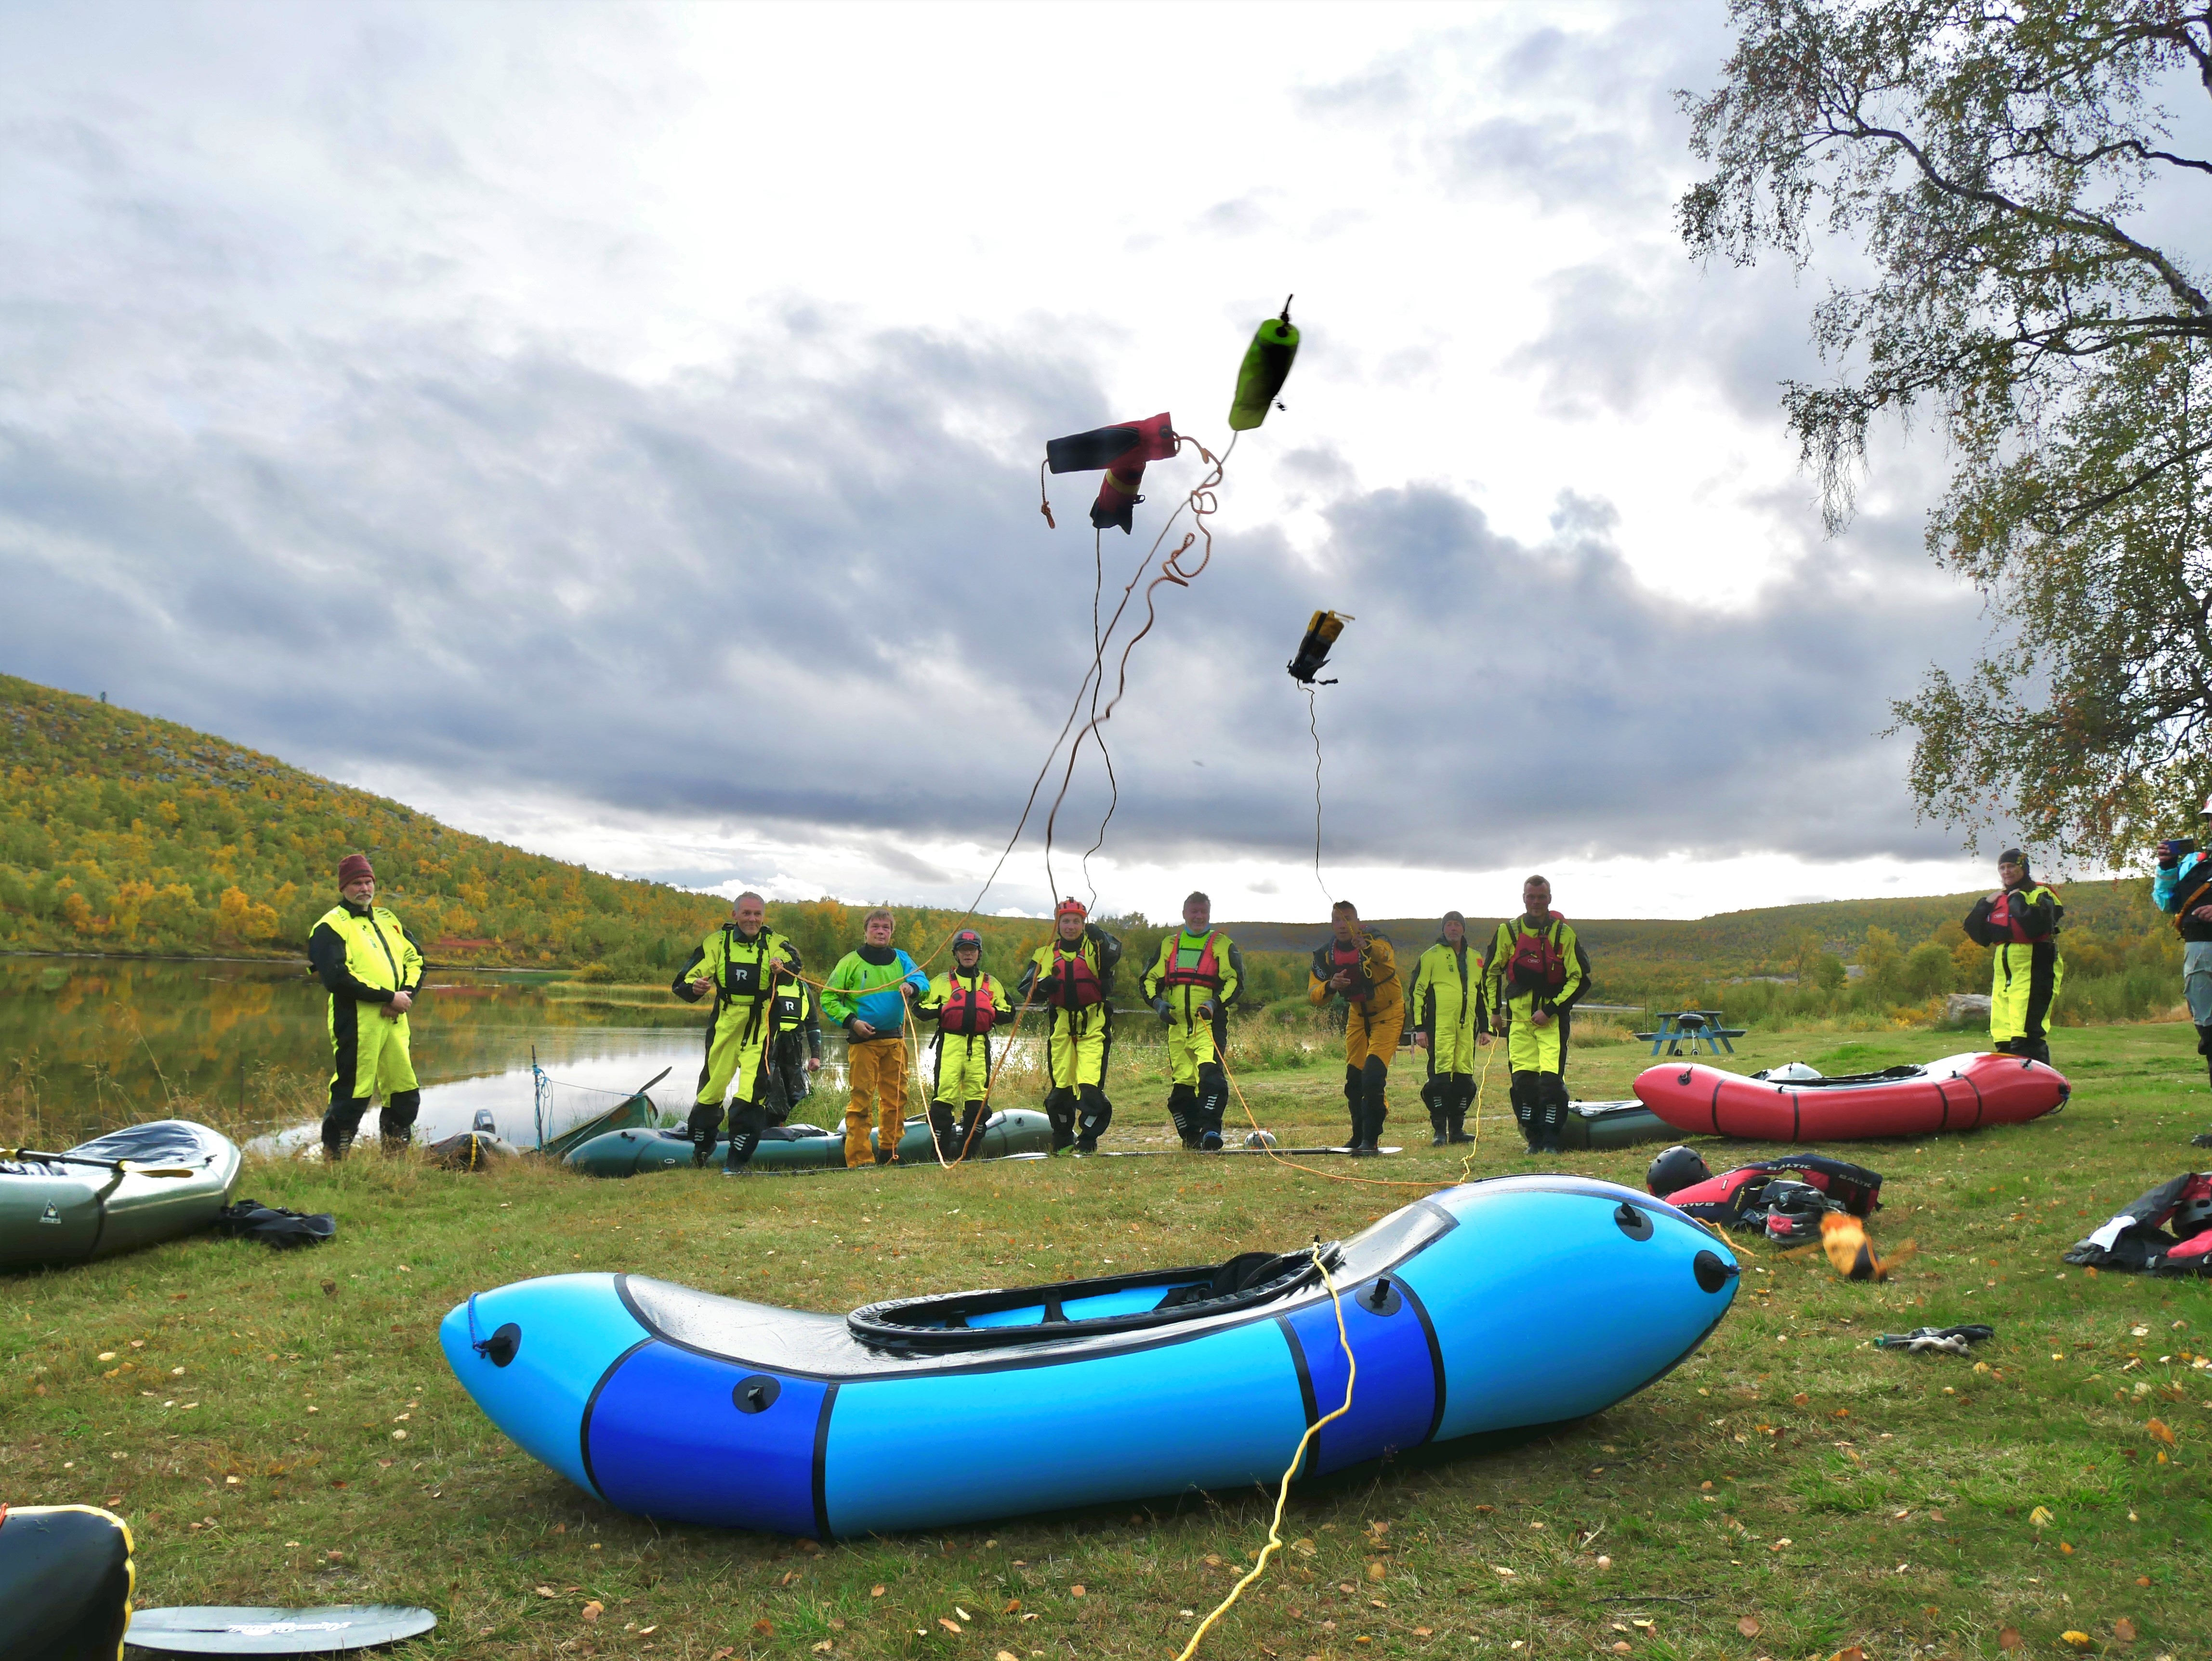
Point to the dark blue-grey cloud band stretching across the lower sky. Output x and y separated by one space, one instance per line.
808 603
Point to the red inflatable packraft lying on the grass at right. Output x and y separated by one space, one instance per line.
1713 1103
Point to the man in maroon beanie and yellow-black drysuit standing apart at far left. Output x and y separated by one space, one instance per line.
371 968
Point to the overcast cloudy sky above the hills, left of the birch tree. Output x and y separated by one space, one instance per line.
618 430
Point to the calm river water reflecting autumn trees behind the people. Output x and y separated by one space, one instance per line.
98 1043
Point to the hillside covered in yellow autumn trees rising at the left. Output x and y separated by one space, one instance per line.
123 833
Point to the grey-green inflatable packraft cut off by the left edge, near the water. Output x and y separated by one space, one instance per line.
116 1193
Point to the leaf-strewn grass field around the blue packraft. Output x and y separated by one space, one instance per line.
282 1428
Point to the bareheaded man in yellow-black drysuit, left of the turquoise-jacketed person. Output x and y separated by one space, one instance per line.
747 965
